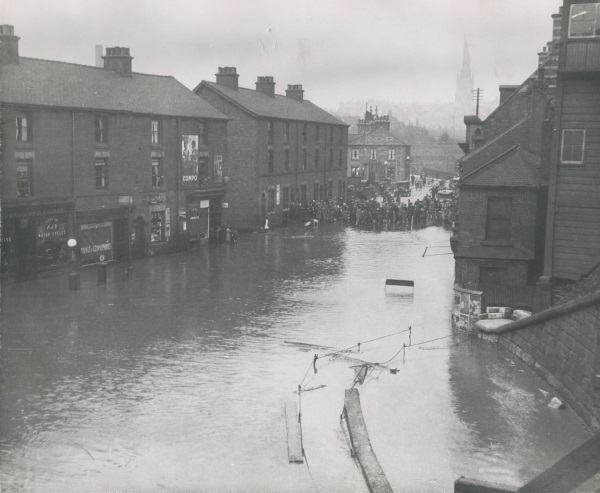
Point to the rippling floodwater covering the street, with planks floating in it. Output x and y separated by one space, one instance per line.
177 379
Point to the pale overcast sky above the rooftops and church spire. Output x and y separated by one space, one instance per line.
399 50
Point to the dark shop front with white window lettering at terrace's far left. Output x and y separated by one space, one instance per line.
34 239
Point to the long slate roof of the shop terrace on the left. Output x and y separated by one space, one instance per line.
58 84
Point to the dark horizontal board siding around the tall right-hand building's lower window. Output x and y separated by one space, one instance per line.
577 228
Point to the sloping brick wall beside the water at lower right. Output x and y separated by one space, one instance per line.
562 345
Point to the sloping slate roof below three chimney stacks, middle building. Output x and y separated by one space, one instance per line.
281 107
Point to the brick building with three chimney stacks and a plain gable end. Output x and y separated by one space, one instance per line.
283 149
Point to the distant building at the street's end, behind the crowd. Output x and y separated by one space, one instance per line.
376 155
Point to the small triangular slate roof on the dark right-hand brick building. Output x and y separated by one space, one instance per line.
515 167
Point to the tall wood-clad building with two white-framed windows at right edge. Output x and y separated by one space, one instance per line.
573 223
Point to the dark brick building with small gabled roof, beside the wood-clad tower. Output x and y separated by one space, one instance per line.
499 243
